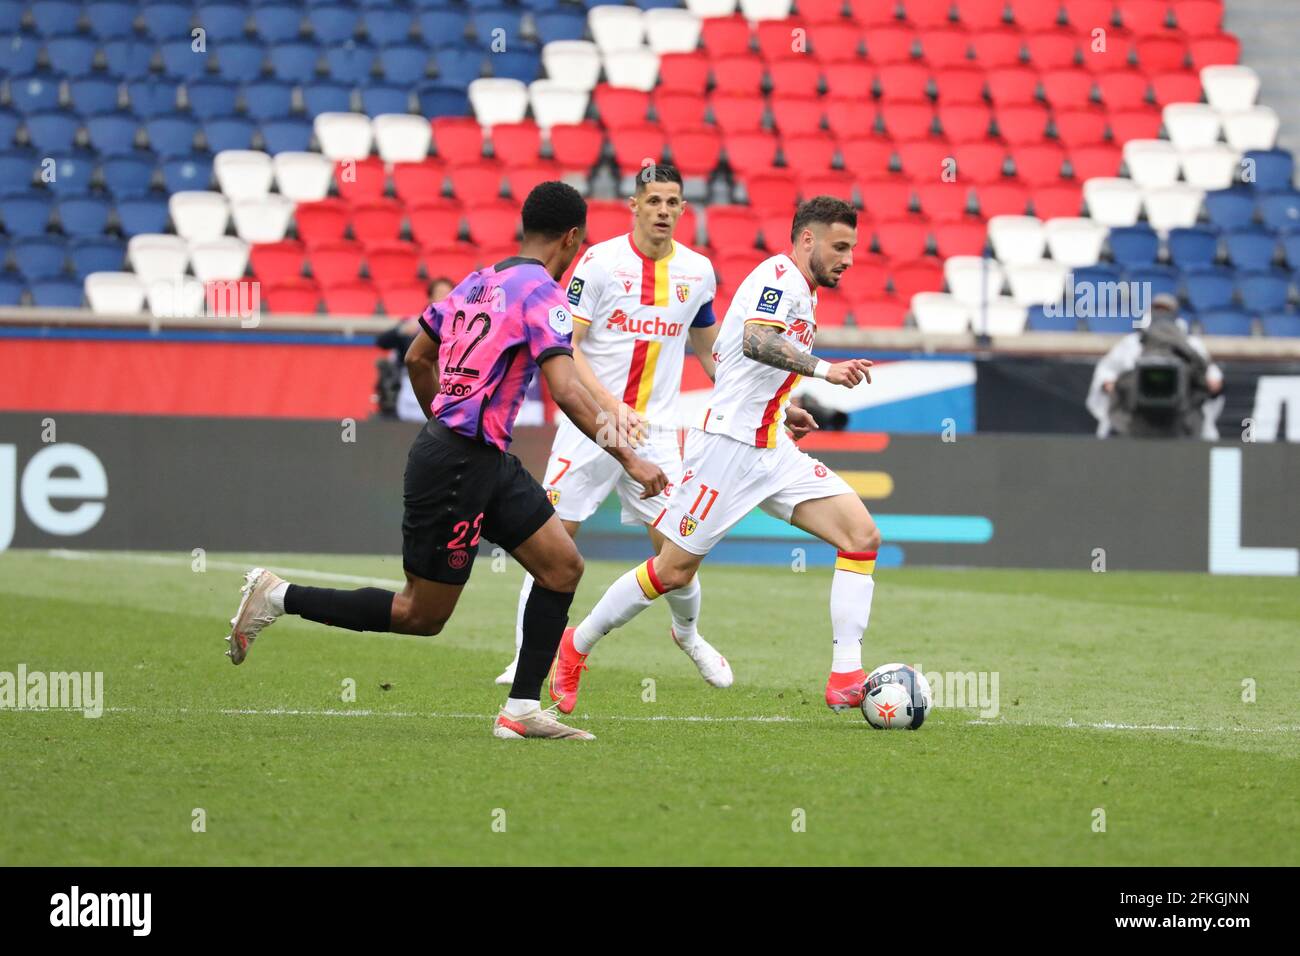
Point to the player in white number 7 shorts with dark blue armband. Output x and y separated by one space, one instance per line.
636 300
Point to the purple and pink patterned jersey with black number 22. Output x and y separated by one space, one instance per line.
493 331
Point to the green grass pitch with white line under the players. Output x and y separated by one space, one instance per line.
1120 693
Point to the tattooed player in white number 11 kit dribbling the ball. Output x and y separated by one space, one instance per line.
740 457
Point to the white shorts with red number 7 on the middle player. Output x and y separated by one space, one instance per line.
580 475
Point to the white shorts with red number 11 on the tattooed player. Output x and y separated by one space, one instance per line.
726 479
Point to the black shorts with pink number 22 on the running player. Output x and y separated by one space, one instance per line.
460 491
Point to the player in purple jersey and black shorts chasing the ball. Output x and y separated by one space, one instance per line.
480 349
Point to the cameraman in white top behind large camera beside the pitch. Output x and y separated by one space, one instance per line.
1158 382
